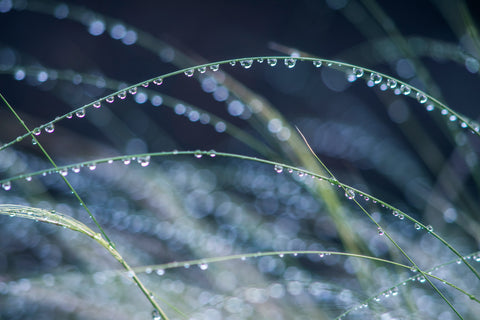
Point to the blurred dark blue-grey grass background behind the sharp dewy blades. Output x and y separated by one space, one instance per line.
184 208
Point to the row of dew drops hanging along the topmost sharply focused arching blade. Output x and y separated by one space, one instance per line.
352 75
